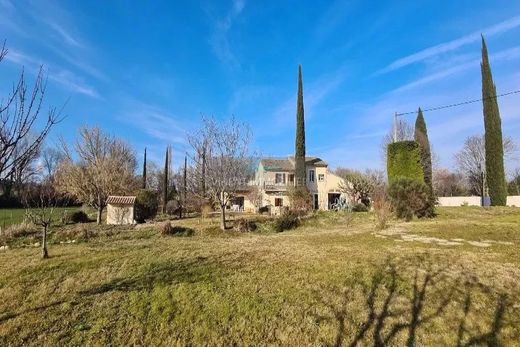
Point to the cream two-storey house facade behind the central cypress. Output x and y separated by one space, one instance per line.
274 178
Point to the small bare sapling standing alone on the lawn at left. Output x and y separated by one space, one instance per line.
41 212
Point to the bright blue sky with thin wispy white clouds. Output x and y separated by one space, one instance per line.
148 71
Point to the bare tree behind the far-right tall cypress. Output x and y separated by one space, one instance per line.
471 160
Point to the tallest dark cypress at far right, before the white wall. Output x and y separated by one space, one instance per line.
495 175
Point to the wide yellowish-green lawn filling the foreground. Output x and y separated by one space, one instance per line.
335 280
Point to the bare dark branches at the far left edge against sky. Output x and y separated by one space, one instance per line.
19 140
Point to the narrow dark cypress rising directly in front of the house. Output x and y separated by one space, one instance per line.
299 156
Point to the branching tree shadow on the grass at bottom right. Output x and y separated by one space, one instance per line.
394 307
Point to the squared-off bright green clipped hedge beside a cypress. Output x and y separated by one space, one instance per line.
404 160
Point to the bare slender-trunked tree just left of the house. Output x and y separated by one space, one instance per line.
228 163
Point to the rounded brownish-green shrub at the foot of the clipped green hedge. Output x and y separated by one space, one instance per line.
410 197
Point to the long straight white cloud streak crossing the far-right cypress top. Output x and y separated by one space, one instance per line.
499 28
